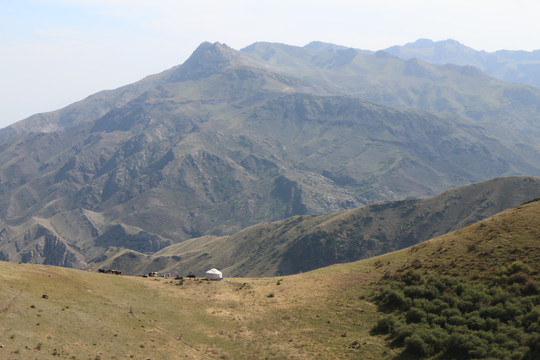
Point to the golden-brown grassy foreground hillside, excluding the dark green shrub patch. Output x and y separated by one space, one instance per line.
327 313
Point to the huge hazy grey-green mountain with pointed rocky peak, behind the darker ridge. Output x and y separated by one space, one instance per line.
231 138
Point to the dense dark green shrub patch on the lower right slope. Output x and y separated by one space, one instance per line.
428 315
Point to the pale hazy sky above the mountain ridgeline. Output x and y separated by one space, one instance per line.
55 52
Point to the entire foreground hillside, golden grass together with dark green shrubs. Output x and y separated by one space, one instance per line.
484 279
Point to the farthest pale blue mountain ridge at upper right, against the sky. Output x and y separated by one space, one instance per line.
512 66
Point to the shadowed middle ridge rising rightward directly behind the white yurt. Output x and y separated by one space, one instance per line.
304 243
